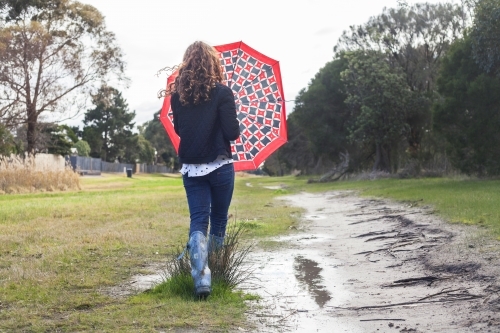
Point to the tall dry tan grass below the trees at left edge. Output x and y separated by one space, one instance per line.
19 175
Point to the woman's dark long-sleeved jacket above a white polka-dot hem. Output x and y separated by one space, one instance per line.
206 129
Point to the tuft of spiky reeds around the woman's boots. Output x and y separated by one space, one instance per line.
228 264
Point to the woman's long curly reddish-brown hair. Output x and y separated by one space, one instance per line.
199 72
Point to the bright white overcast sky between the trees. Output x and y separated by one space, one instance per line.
299 34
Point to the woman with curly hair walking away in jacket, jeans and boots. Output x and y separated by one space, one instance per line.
205 119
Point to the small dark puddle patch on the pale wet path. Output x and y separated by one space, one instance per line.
308 272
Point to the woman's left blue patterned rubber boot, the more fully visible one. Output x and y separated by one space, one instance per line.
198 255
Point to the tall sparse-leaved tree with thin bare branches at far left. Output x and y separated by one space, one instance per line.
52 51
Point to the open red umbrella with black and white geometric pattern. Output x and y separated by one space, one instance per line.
258 92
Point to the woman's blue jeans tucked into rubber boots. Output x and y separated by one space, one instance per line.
209 196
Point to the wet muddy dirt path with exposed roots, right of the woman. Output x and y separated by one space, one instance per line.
359 265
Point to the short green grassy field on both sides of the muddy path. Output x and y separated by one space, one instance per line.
60 252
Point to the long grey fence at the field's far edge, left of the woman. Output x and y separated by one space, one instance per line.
94 166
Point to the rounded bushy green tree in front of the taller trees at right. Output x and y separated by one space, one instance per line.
378 96
